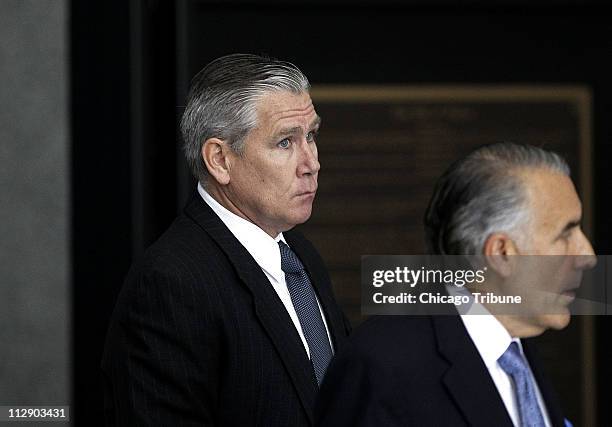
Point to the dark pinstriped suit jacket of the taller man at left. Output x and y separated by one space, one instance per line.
200 337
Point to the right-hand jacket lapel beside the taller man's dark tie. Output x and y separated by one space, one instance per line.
321 283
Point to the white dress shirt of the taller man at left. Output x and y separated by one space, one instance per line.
264 249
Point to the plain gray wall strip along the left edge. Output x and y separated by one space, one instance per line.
34 203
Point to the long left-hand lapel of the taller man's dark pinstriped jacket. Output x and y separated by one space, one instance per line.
268 307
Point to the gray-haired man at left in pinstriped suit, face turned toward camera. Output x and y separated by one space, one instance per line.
229 319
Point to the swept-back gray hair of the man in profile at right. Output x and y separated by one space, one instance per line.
482 193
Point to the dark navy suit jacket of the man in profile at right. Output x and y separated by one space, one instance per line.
417 371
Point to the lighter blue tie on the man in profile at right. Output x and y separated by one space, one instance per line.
514 364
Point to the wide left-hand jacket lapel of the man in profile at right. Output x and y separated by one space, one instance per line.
467 378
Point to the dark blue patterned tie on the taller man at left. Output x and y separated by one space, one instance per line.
305 303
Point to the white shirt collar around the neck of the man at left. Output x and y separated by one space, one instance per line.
262 247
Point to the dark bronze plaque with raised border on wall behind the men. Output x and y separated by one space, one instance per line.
382 149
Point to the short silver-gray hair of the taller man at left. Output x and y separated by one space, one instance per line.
222 101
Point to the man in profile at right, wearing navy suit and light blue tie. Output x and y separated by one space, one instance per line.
498 202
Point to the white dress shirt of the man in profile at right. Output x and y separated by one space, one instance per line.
491 340
